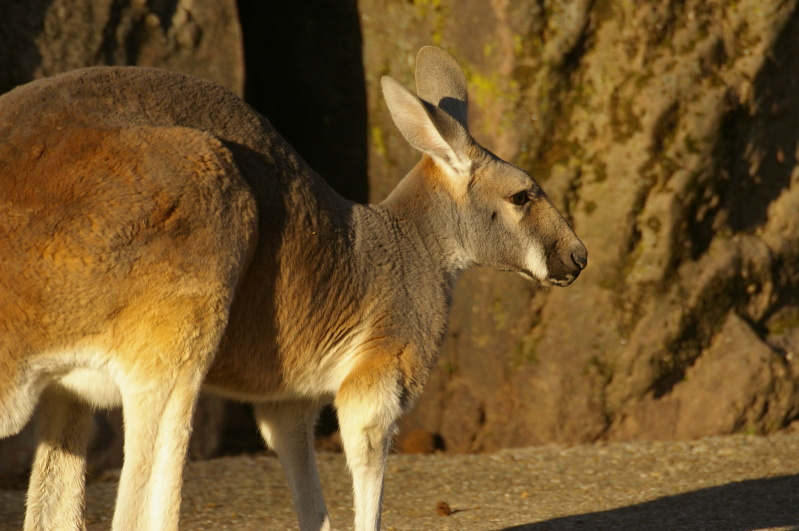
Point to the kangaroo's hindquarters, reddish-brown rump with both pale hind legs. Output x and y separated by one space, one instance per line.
125 224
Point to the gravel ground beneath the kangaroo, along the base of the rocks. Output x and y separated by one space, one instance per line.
722 483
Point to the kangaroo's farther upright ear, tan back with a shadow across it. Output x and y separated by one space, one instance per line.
441 83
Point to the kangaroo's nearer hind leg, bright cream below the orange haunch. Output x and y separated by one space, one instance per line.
166 362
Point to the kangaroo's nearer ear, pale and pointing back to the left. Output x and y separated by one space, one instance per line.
427 128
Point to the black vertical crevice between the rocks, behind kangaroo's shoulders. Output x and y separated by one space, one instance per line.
304 72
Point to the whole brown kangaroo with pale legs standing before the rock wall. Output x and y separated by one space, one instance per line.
158 238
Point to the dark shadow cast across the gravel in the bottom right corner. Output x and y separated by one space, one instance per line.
745 505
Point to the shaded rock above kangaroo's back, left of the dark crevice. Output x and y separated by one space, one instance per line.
40 38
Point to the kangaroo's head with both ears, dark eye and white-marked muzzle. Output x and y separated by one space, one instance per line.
499 216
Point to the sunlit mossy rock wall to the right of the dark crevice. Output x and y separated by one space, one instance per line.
667 133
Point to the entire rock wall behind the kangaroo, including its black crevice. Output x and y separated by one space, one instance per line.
666 131
